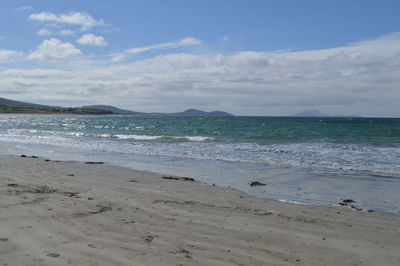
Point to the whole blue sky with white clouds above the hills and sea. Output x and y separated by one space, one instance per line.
247 57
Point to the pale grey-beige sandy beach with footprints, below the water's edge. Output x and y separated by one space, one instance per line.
67 213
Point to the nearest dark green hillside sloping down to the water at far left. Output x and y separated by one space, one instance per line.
11 106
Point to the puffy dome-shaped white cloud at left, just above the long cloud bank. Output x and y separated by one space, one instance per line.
54 49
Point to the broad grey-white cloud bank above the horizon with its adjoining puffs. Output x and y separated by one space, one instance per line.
359 78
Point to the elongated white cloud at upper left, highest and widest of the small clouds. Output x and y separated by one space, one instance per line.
82 19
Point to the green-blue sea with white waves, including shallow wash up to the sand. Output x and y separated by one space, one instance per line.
304 160
